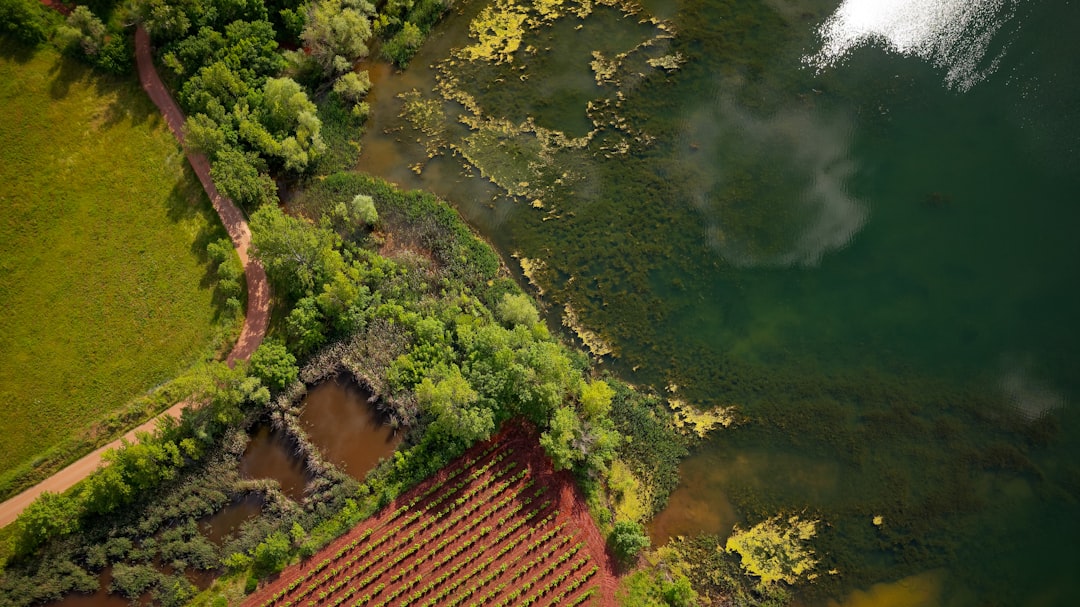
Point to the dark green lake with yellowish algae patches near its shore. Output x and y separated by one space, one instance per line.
867 245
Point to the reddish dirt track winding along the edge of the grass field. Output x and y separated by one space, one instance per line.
259 290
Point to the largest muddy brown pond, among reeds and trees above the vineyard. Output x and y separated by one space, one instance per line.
346 428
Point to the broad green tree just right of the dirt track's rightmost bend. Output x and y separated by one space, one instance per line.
299 257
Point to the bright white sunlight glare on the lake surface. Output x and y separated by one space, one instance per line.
953 35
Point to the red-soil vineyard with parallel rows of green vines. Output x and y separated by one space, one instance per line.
496 528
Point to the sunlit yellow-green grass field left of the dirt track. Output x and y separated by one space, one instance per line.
104 284
